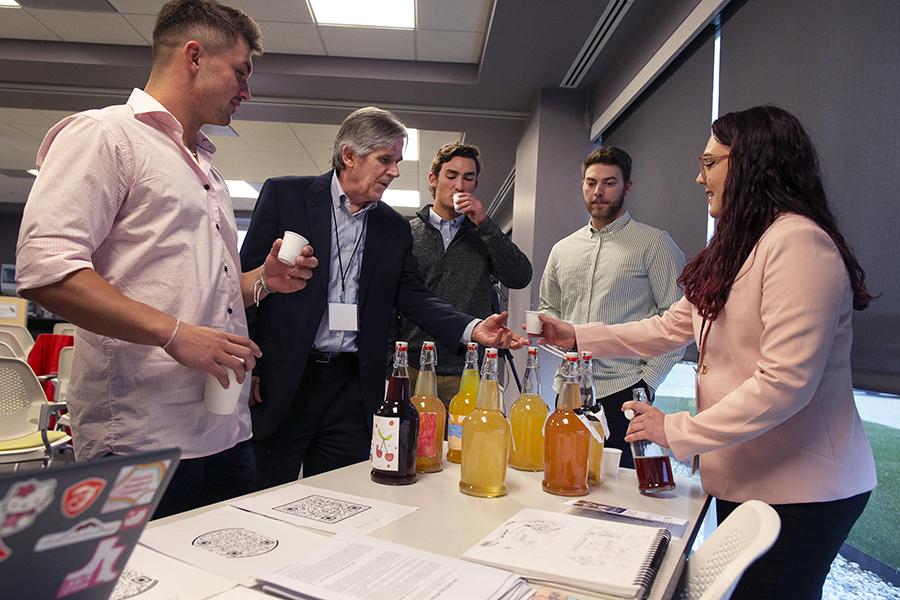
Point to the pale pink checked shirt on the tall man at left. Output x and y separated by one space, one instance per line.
118 192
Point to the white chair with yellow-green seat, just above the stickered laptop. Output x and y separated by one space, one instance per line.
25 416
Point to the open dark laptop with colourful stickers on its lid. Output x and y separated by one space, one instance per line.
67 532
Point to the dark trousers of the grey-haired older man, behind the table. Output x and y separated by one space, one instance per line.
326 426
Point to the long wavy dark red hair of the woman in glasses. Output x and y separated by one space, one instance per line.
772 170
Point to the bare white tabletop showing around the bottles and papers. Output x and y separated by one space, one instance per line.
449 522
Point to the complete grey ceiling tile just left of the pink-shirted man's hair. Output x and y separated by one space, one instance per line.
95 28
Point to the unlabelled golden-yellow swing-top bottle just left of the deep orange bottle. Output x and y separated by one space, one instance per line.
526 419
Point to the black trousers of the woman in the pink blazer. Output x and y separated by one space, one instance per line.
797 564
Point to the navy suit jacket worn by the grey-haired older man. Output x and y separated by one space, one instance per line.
285 325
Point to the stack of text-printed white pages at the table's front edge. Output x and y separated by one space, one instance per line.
355 567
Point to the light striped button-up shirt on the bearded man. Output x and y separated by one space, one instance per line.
624 272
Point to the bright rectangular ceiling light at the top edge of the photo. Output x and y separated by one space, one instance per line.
399 14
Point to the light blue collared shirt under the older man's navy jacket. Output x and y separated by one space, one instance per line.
348 241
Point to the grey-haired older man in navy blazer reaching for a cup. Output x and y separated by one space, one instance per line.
321 375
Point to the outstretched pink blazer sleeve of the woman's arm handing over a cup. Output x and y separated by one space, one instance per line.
646 338
